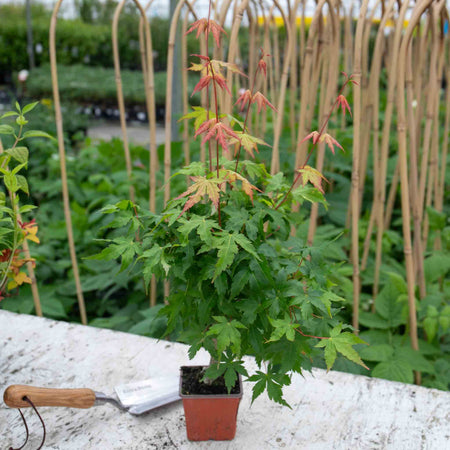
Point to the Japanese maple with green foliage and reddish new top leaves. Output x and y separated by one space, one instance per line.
240 283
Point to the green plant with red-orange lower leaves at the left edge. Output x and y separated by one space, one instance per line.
14 233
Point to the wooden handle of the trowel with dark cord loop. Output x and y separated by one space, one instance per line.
71 398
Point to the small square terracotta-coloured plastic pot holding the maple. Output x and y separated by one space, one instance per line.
211 416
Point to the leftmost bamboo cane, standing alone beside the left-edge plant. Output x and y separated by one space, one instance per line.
62 160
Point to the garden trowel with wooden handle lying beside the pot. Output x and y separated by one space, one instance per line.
136 398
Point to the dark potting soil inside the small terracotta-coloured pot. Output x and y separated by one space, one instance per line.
191 383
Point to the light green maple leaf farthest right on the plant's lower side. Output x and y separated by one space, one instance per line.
341 342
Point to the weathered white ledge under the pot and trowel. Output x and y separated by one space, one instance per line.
330 411
